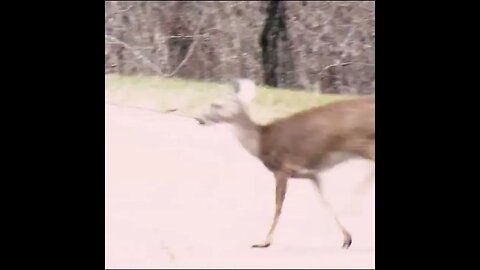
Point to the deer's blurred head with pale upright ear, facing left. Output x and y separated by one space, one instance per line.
232 107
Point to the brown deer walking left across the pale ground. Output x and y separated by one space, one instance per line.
301 145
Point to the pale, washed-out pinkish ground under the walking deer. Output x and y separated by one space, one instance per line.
182 195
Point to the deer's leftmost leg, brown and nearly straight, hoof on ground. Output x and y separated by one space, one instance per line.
280 190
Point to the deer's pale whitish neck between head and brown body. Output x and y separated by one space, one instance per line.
247 133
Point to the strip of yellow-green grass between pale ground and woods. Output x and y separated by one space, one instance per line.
192 98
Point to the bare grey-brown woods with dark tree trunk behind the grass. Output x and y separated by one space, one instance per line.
323 46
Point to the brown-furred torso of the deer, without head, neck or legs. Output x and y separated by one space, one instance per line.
304 139
